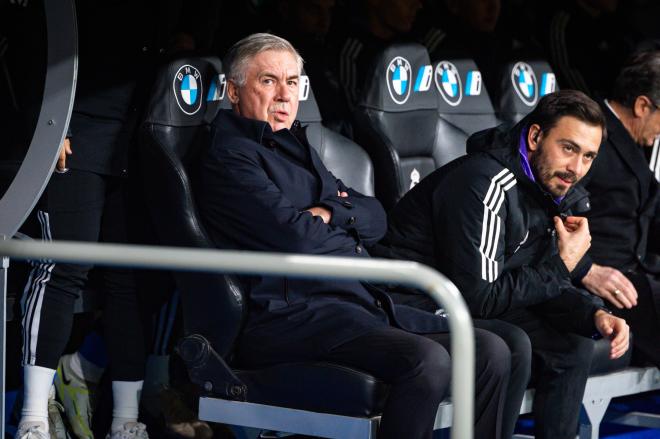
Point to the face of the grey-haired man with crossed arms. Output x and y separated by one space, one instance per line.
270 92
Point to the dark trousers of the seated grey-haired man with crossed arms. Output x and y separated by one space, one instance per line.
418 370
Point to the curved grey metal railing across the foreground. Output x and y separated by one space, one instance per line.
441 289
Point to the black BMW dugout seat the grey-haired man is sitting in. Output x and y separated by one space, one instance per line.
309 398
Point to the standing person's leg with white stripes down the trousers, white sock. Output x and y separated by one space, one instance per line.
70 210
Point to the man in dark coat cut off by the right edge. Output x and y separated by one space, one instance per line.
624 206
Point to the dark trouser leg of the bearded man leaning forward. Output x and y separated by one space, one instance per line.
561 364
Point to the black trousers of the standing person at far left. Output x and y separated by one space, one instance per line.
81 206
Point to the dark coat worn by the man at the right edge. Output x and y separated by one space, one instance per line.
624 198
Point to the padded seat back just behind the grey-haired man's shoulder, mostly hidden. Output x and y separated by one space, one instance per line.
343 157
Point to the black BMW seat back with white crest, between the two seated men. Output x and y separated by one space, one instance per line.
396 120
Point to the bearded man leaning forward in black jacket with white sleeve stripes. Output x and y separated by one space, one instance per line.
490 222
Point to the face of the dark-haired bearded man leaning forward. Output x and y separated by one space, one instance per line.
561 156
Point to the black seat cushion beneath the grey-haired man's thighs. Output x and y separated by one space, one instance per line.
317 387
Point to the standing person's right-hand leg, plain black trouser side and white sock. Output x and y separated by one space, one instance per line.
123 325
